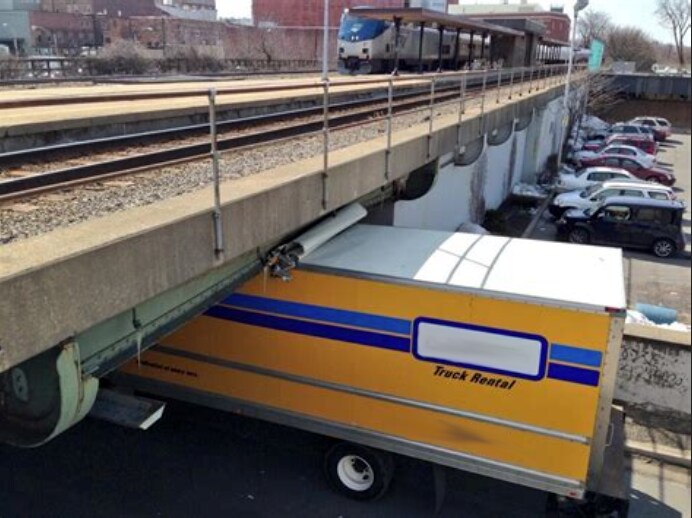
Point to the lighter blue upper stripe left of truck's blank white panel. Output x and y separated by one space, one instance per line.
324 314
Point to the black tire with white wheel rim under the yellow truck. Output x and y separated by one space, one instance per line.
358 472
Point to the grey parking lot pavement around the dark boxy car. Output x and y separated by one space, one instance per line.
650 280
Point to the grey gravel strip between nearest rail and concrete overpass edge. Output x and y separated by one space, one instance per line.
30 217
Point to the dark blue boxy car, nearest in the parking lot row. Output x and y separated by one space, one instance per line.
643 223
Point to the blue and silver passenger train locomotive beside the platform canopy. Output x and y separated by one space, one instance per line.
368 46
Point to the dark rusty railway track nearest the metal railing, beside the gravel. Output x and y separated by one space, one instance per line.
350 114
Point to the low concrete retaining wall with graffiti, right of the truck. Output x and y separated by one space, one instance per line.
654 372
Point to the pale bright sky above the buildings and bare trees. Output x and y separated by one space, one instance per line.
637 13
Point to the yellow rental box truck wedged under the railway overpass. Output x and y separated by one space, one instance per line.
487 354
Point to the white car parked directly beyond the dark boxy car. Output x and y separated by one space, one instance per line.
593 196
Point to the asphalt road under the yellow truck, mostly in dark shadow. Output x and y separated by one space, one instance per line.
201 462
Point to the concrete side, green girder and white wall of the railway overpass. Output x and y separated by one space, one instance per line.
79 301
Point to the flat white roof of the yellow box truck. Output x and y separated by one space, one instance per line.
587 277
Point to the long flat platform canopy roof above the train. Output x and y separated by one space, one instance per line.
429 17
